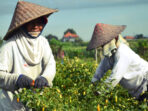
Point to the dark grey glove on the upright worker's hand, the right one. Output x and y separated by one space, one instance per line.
40 82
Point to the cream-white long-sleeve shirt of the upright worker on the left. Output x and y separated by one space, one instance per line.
12 64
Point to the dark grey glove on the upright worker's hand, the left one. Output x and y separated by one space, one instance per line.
24 81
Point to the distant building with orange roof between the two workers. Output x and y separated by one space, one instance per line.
69 37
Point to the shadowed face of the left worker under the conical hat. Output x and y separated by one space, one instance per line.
35 26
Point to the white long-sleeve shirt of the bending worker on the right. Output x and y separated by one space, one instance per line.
128 69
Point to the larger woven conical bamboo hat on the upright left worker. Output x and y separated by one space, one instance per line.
24 13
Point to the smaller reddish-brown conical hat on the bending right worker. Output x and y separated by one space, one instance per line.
104 33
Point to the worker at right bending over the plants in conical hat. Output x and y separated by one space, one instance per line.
128 68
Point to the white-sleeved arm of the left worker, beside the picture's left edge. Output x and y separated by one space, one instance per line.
7 79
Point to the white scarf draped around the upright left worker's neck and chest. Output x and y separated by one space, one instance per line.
30 48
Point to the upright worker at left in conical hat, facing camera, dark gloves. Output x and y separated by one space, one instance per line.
26 56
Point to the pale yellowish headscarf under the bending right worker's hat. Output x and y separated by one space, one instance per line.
111 47
